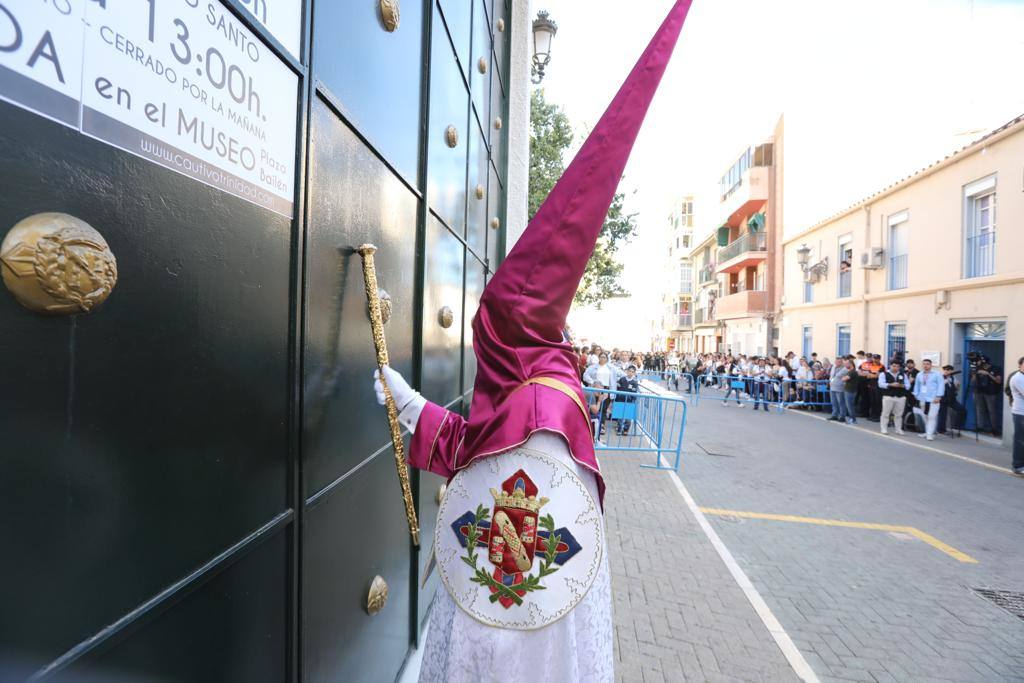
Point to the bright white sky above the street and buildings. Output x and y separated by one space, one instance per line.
872 92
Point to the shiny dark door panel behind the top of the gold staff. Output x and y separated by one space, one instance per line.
354 199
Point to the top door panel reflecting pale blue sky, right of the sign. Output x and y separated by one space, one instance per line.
375 74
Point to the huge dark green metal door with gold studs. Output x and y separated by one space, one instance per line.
196 482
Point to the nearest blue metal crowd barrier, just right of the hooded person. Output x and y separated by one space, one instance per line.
639 422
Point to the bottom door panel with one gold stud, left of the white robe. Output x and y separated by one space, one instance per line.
357 533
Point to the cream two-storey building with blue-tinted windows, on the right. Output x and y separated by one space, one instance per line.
915 271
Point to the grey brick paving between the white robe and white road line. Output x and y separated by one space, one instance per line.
679 615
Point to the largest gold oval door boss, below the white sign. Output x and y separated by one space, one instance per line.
58 265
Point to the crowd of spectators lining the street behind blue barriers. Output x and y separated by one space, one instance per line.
900 397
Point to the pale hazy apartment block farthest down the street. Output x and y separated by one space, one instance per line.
677 300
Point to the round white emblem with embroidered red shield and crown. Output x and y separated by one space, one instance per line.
519 540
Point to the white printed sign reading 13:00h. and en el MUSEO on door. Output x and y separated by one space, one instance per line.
182 83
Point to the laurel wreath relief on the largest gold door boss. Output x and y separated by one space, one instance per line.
55 261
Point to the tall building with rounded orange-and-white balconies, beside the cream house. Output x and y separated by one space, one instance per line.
749 241
